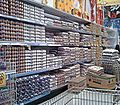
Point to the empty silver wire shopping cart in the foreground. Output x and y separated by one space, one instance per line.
88 96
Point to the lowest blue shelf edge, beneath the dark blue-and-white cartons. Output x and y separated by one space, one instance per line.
36 98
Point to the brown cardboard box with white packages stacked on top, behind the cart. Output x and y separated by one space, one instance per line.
96 78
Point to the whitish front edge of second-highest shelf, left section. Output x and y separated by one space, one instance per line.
20 19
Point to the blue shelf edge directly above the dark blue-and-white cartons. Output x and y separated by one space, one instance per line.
29 73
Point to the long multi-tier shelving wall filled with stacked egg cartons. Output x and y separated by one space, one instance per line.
47 46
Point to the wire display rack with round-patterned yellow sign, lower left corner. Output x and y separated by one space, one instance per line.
7 84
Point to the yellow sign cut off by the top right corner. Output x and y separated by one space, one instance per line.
108 2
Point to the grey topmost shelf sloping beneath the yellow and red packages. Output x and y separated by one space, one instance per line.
57 12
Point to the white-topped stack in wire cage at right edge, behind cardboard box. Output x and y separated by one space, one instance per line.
111 62
